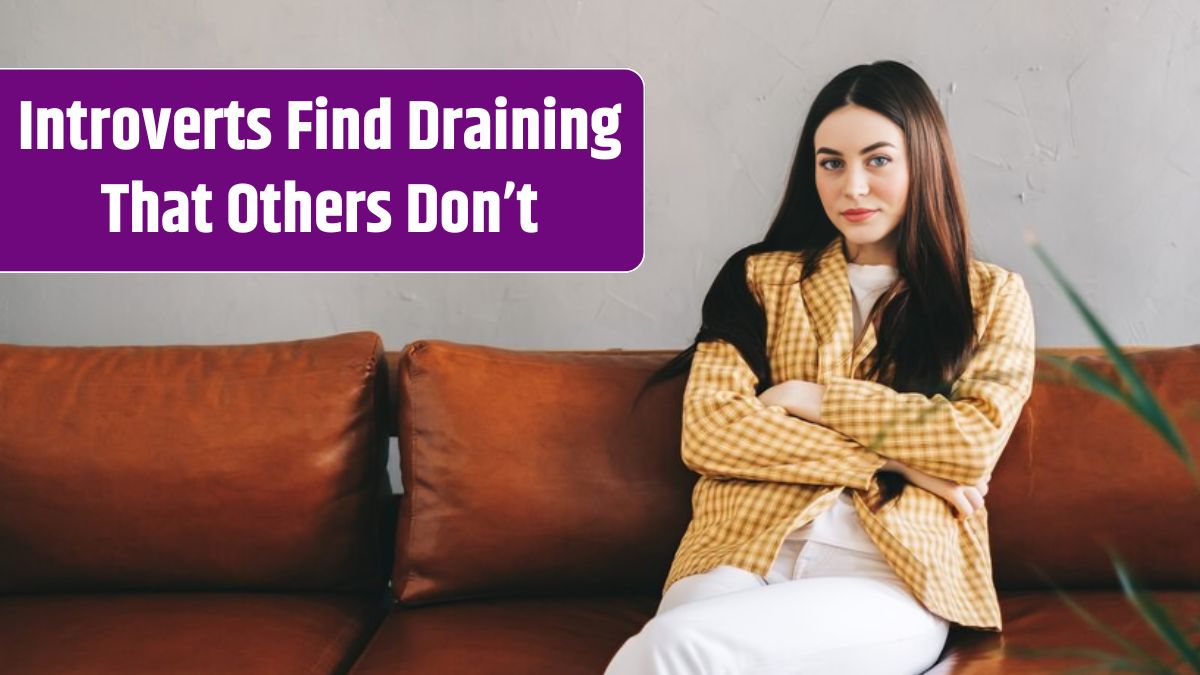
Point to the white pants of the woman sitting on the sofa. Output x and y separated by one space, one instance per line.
820 610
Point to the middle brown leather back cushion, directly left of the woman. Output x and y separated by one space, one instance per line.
531 473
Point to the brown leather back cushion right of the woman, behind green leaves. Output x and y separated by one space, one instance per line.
1082 473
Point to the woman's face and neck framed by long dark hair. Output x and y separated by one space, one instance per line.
862 163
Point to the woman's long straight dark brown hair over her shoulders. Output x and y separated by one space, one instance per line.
925 322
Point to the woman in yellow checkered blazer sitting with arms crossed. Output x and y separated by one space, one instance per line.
855 380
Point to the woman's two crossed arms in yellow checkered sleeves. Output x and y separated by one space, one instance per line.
729 433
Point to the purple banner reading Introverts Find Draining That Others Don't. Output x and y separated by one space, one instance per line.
322 170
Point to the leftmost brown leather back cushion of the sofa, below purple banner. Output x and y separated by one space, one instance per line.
233 468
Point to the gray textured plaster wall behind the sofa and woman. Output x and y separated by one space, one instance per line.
1077 120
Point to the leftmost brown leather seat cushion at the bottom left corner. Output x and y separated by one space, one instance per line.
185 634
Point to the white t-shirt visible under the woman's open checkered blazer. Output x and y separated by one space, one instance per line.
839 527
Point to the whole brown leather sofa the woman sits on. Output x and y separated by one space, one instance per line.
226 510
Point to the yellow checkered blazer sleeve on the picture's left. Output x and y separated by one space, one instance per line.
729 433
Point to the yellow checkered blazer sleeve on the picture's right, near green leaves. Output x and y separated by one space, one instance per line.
959 439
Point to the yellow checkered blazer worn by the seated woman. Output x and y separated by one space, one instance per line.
764 473
